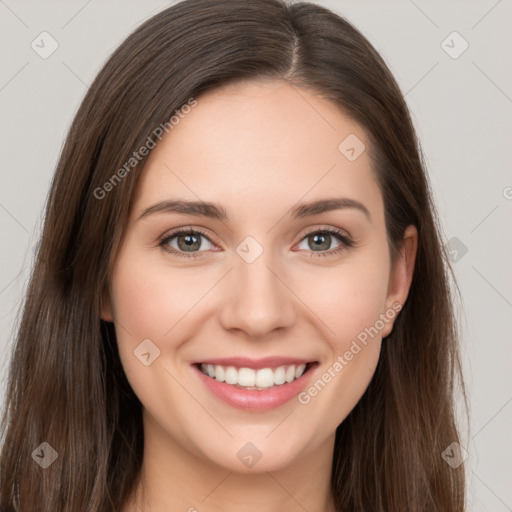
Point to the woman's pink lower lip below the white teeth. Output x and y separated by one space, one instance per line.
254 400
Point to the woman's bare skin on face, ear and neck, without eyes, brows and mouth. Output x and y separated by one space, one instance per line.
256 150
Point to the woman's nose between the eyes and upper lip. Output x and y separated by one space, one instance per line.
258 300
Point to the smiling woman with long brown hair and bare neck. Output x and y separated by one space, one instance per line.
240 298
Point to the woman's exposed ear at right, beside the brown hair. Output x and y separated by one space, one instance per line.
401 275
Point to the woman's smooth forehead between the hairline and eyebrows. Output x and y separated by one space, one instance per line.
259 143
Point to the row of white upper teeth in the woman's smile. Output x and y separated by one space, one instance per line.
257 379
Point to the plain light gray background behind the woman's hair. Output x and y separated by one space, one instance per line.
462 110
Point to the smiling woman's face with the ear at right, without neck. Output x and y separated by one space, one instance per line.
268 277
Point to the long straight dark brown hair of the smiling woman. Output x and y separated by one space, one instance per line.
66 385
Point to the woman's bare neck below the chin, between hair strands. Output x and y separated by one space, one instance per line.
172 478
